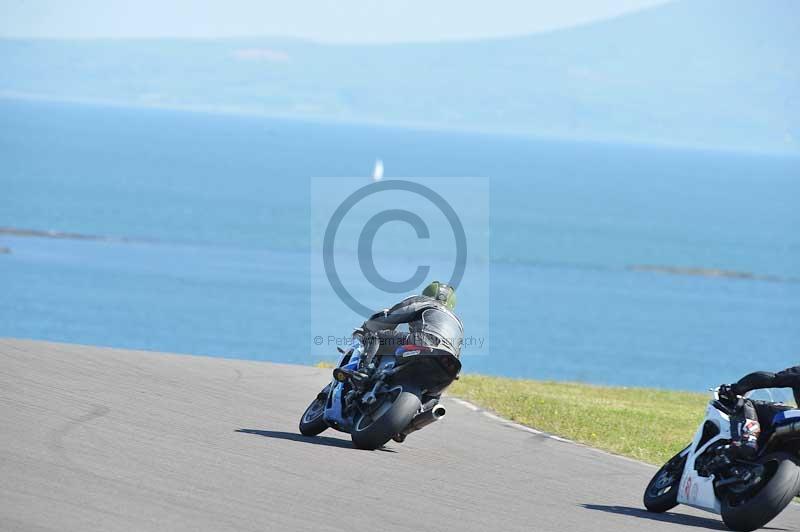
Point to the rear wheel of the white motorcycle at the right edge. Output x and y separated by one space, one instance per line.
780 485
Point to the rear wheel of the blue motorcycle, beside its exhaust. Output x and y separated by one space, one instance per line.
374 429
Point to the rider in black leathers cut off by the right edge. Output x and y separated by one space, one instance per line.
753 416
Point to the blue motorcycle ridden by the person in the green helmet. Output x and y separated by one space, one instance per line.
389 397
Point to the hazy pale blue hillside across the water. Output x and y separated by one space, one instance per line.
710 73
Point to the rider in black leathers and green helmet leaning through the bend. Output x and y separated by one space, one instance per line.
430 319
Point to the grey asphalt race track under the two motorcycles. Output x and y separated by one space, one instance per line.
105 439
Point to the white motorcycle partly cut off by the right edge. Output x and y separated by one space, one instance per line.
746 493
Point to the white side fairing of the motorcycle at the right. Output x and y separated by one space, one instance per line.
695 490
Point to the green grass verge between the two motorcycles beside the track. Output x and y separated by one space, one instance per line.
646 424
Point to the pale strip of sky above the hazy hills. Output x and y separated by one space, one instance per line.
363 21
